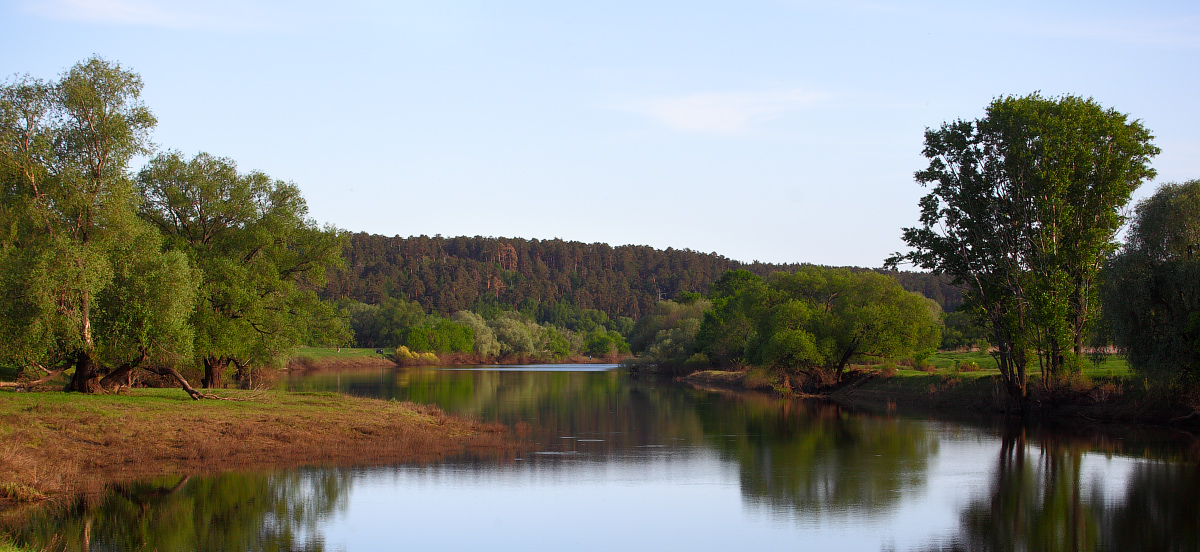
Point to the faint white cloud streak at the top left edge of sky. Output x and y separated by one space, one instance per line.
214 16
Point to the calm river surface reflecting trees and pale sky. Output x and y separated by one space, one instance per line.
625 464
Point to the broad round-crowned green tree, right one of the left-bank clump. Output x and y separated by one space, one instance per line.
259 253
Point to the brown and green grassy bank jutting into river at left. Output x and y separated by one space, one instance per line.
57 445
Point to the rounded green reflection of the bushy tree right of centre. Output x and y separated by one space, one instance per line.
813 459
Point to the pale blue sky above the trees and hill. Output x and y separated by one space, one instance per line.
782 131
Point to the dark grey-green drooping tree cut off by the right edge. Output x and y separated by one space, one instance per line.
1153 290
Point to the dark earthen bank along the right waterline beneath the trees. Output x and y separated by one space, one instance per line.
1097 398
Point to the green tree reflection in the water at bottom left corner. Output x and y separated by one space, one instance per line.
251 512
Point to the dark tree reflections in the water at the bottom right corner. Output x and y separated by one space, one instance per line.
1045 503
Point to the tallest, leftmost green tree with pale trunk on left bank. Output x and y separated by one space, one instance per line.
87 284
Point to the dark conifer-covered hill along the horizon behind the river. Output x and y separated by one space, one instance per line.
452 274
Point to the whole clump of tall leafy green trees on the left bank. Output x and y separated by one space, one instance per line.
194 262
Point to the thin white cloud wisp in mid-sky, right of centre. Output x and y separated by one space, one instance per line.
723 112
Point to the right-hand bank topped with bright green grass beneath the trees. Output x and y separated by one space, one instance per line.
970 382
